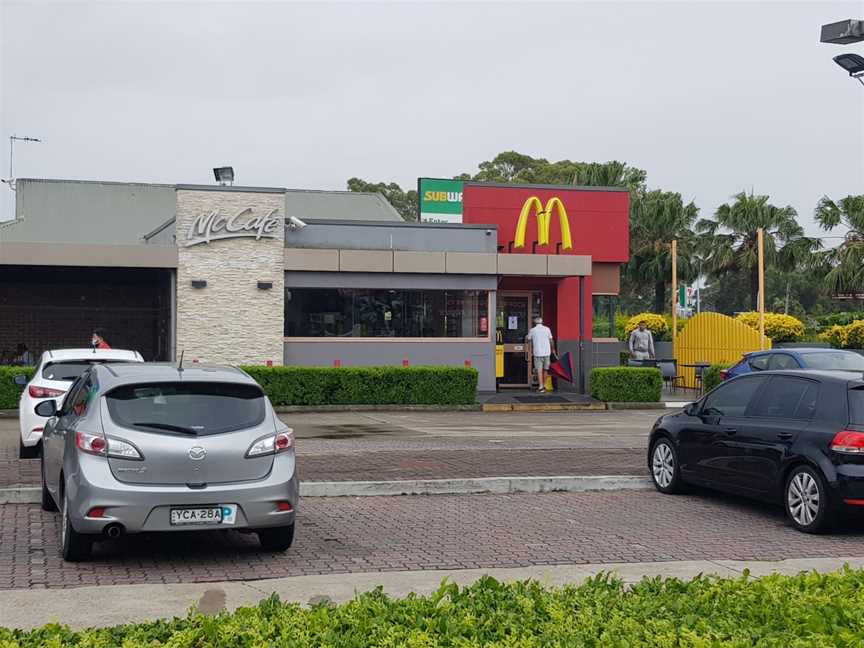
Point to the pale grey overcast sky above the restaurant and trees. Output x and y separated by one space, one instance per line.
709 97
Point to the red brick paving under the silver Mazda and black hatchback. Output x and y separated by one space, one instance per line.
443 532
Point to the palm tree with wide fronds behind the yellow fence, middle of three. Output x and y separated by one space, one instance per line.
730 243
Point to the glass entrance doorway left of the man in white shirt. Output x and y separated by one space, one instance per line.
516 311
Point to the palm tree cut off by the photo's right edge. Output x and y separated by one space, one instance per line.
846 261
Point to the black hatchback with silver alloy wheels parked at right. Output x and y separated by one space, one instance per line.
795 437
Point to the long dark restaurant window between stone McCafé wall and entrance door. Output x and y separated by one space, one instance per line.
397 313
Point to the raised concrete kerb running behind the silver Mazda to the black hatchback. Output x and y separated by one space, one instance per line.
465 486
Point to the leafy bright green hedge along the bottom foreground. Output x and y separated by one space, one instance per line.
775 611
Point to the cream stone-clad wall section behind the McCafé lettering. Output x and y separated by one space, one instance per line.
231 320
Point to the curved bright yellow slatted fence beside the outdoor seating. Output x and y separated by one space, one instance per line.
714 338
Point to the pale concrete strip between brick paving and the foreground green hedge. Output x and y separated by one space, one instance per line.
110 605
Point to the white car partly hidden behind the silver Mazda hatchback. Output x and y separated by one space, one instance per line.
55 372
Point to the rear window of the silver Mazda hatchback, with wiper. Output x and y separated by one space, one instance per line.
194 408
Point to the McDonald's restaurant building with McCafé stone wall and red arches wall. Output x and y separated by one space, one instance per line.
257 275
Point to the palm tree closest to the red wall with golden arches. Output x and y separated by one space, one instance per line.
656 218
